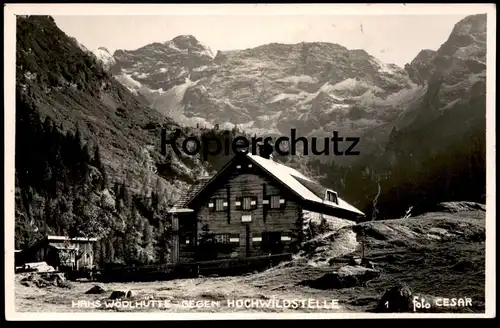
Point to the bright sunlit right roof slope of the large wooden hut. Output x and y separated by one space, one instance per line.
287 176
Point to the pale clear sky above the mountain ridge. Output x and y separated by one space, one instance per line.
393 39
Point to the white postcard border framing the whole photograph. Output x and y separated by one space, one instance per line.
10 10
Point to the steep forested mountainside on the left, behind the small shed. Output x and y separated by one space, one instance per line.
88 159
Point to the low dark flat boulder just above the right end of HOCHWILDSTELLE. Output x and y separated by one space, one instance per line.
346 277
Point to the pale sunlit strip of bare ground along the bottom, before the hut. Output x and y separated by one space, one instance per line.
184 295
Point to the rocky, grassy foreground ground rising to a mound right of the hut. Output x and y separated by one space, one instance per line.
437 255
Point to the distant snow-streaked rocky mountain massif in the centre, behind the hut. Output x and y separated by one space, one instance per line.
268 89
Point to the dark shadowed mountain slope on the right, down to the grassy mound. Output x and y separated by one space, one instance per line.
437 148
